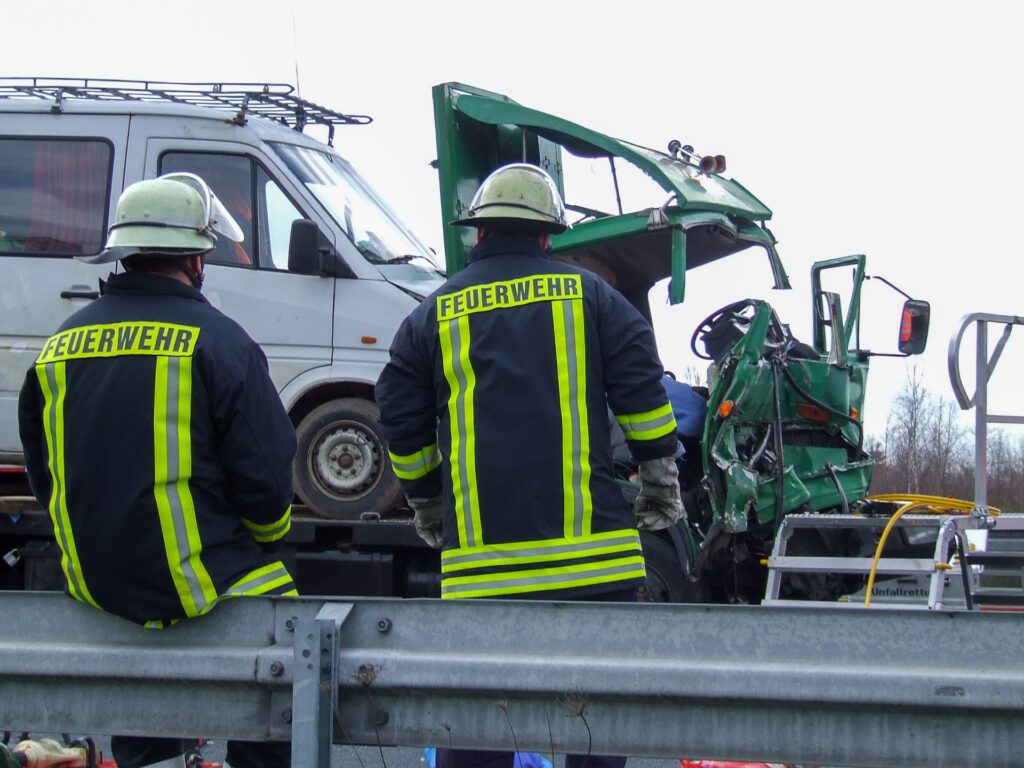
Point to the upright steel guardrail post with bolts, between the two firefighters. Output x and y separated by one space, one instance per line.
316 686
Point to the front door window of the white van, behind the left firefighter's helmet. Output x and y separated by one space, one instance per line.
238 181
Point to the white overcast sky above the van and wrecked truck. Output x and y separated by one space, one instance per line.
887 129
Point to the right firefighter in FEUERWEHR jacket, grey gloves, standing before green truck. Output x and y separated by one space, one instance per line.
495 407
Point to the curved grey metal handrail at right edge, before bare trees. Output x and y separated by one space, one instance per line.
985 367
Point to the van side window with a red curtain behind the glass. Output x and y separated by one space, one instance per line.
54 196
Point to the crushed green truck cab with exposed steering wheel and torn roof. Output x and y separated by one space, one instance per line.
784 431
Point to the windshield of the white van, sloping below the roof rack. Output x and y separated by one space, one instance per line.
368 222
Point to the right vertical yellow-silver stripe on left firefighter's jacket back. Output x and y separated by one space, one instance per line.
173 470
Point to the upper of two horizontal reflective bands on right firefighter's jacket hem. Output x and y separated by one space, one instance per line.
530 552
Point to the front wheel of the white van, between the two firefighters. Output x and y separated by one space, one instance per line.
342 466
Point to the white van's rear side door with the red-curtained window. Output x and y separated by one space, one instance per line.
60 179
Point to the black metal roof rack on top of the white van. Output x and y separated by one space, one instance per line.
274 101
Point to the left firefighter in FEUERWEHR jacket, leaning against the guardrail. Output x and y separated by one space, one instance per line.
158 443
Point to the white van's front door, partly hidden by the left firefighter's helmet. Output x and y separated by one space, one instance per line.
291 317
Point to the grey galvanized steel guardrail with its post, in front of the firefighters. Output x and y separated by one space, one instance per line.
785 685
